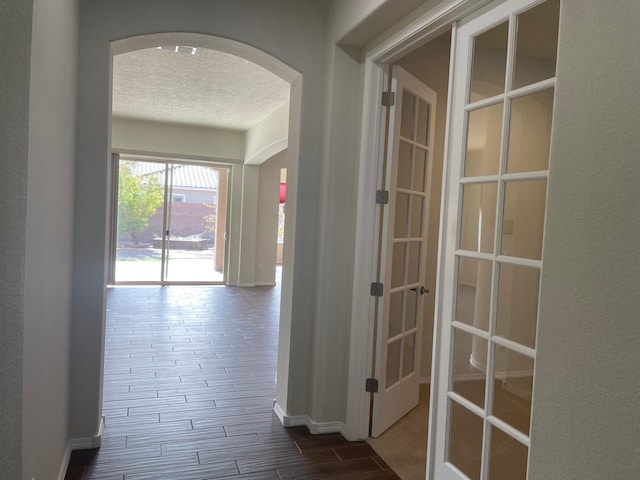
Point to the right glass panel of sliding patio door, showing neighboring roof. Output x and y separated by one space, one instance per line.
193 224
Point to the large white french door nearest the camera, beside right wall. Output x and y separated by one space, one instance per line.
495 204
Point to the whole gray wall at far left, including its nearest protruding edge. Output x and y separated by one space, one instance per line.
37 121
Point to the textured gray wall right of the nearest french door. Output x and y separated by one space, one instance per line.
586 403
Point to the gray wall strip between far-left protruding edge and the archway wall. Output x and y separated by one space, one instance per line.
49 237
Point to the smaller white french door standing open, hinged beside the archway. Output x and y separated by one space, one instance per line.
404 250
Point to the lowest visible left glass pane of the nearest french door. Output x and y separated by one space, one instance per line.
465 440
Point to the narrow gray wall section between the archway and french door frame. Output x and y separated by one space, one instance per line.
339 179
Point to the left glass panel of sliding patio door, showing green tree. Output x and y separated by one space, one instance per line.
140 215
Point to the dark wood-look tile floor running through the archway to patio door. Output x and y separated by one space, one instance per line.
189 384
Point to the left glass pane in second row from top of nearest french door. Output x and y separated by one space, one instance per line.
484 135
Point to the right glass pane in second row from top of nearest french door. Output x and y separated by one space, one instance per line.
530 132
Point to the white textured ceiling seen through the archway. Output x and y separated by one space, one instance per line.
209 88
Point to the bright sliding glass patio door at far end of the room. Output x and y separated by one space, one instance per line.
170 222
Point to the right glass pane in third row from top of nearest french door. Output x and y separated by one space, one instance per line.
523 223
